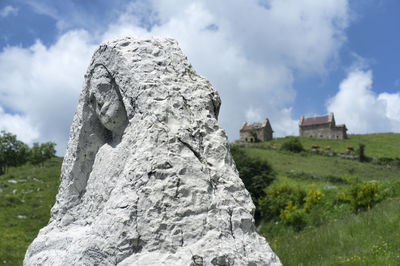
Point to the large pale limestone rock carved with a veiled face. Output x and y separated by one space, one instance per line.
148 178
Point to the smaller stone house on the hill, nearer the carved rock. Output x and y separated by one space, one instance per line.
256 131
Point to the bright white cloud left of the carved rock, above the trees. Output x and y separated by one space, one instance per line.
43 85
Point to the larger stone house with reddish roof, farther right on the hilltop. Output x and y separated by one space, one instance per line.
322 127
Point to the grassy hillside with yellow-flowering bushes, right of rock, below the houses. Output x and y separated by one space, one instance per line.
338 229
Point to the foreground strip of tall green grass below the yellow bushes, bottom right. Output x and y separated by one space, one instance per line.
368 238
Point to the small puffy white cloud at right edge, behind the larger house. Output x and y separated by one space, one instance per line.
361 109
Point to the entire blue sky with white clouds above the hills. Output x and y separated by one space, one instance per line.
275 59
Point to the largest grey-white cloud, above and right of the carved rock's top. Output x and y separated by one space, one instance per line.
250 57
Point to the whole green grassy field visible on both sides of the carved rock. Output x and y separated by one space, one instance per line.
331 226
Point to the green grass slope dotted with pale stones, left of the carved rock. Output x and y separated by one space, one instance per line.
25 207
